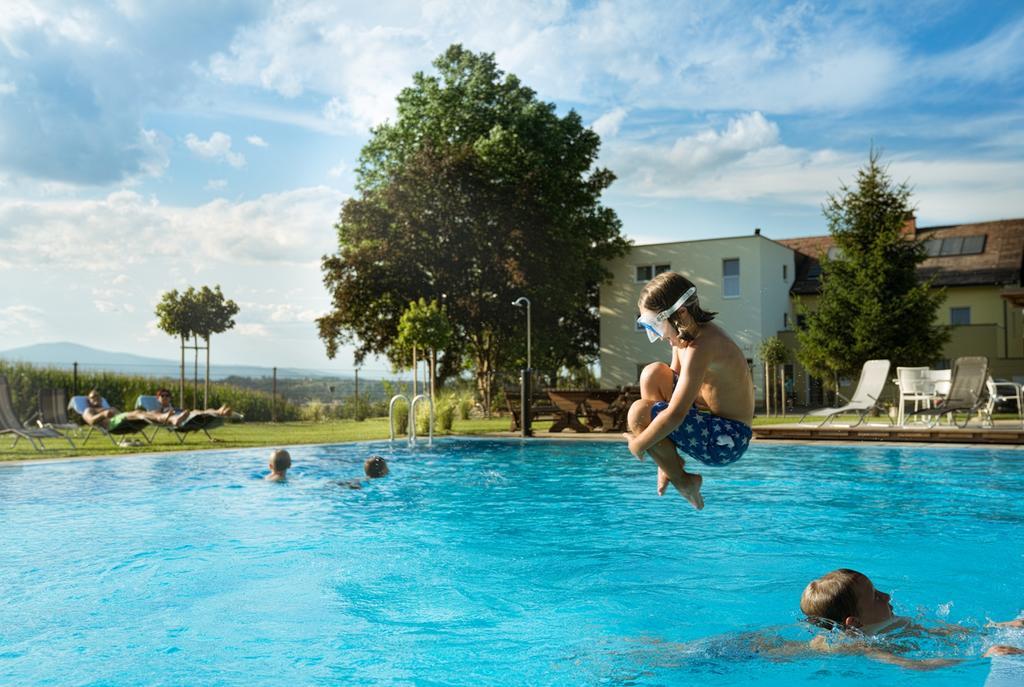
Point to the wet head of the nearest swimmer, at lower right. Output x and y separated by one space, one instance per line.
845 598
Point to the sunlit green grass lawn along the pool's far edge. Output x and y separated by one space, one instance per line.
254 435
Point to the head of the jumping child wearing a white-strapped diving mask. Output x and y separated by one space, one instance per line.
662 304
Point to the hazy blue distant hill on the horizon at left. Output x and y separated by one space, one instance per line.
63 355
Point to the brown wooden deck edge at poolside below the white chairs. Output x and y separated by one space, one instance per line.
1003 434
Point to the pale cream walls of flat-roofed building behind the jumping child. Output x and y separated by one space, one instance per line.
757 313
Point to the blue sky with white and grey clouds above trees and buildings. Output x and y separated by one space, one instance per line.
147 146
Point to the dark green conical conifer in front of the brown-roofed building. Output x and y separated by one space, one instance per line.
872 305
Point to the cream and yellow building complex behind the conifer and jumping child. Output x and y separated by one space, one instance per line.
754 283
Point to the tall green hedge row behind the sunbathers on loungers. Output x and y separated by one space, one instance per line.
122 391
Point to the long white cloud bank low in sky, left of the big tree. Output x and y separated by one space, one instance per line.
289 228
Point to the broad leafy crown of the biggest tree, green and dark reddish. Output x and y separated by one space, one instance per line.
479 193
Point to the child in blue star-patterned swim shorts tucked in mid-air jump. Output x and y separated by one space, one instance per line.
703 404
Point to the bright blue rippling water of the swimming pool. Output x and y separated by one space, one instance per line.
491 563
